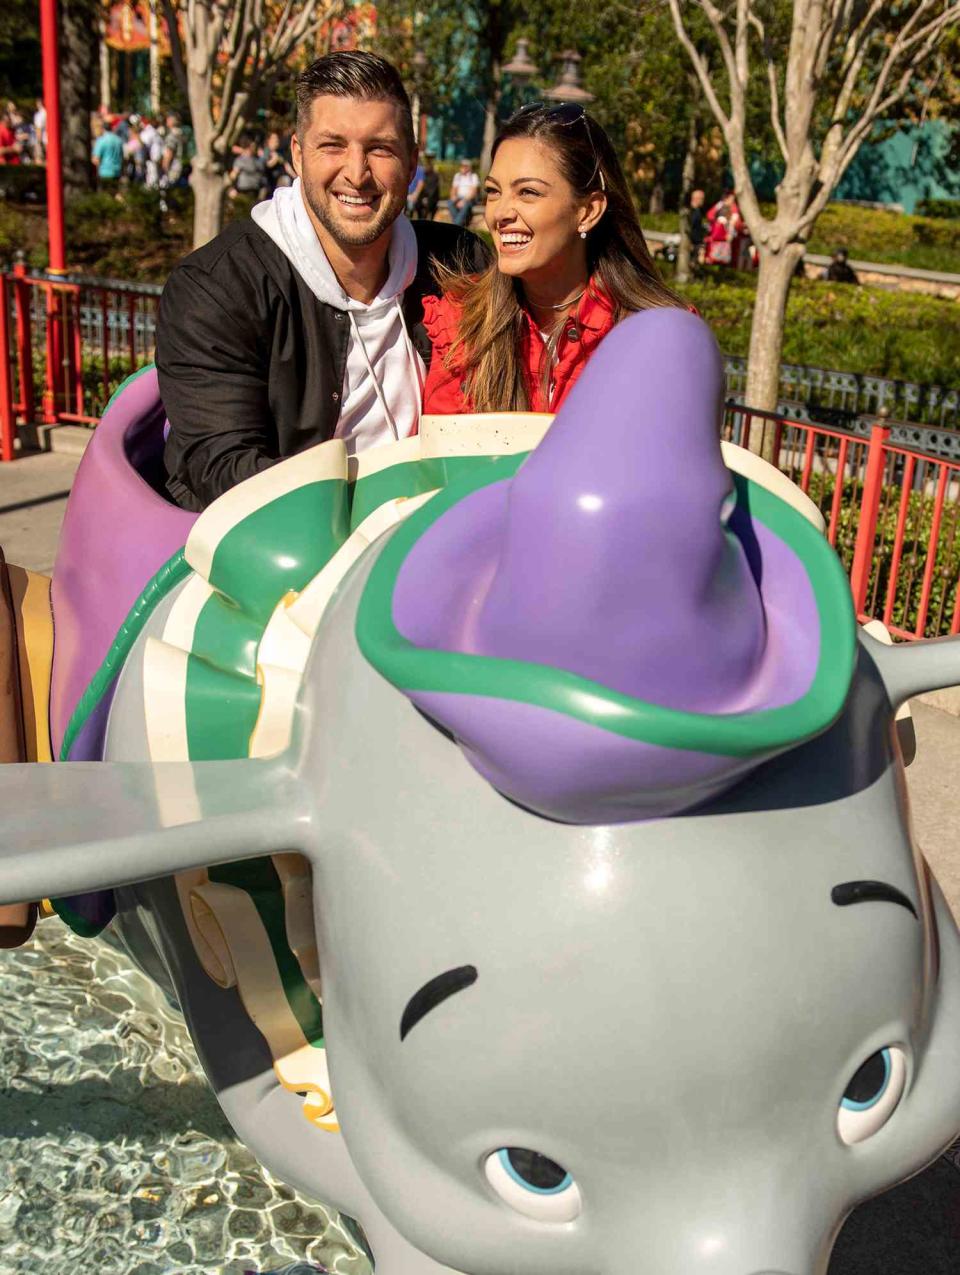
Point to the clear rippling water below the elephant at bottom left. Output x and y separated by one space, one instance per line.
115 1158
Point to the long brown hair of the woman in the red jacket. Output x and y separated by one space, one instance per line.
619 261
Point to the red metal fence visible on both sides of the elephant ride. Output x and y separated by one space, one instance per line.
893 513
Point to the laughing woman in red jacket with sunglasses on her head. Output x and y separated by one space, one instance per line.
571 263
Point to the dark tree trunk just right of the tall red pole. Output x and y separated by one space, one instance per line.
78 75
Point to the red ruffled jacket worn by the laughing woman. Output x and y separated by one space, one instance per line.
444 395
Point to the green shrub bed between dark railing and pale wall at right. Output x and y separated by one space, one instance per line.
898 335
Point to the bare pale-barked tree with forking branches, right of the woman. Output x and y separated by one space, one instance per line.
848 63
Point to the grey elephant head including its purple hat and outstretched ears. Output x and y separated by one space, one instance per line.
639 973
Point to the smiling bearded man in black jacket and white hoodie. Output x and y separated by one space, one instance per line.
305 322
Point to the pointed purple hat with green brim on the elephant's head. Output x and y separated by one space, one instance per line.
622 627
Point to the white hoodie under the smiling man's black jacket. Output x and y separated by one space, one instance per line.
383 387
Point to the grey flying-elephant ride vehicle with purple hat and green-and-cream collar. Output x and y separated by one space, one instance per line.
539 804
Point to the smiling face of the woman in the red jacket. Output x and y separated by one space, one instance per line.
532 211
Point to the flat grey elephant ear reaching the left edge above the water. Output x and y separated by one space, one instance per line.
78 827
